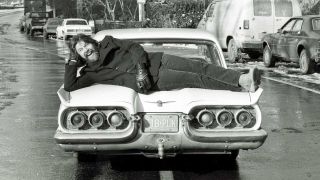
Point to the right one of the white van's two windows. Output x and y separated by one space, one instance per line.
283 8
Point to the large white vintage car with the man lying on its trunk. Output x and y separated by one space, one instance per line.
116 120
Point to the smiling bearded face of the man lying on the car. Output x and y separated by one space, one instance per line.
87 51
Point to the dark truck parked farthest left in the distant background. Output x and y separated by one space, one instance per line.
35 22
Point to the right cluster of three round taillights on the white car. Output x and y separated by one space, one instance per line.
223 118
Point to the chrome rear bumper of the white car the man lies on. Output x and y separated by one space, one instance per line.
185 141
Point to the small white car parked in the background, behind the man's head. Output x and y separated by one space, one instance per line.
73 26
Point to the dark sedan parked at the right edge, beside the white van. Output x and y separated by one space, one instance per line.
298 40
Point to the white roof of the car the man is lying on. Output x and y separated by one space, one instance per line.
156 33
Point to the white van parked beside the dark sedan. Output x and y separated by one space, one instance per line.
239 25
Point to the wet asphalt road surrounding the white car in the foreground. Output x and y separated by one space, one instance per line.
31 71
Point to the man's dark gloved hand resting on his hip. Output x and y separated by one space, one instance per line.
143 81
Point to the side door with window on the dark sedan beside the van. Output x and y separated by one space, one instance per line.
280 41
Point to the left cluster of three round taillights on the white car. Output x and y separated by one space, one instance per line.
95 119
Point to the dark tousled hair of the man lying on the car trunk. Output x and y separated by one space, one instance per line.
81 37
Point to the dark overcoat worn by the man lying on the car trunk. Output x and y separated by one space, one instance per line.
116 66
